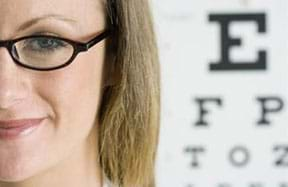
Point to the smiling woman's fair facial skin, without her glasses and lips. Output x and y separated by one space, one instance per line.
67 98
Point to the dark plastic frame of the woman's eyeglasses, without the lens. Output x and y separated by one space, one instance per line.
78 47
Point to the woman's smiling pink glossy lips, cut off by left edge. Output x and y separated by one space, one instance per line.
12 129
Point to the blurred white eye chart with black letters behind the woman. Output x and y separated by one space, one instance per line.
224 93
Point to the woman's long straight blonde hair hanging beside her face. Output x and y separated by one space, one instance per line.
129 113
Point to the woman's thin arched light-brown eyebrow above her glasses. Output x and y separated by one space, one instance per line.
44 17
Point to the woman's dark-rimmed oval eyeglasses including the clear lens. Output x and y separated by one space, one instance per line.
44 52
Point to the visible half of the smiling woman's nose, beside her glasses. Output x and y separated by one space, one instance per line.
12 87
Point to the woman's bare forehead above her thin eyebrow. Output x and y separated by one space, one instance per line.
15 12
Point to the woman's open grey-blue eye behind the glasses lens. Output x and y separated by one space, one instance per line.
43 44
